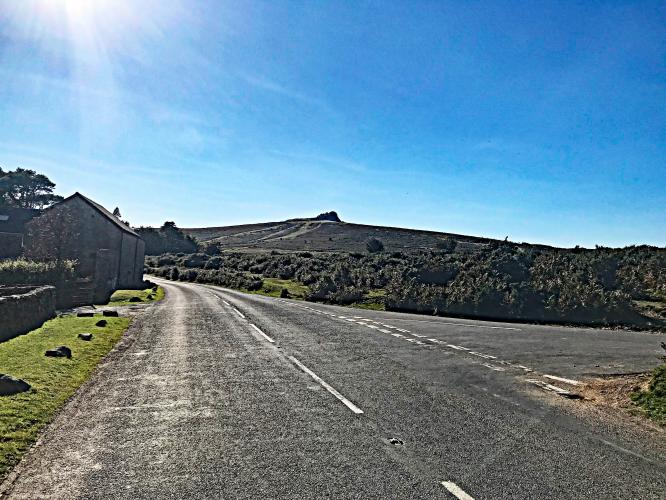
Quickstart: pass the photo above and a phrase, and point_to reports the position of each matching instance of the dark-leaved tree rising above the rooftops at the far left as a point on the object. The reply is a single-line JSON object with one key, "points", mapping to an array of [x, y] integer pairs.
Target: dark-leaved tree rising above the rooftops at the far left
{"points": [[25, 188]]}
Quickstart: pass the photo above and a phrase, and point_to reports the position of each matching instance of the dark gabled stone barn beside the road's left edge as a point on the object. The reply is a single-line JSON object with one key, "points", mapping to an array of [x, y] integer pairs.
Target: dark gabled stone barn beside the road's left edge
{"points": [[108, 252]]}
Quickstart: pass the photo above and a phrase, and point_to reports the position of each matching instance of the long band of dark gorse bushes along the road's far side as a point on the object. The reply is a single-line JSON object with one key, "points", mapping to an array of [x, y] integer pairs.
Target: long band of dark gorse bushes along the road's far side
{"points": [[502, 280]]}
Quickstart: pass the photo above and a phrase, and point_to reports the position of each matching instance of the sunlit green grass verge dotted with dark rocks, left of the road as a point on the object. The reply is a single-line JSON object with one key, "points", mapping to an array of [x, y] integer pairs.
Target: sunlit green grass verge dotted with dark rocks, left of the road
{"points": [[53, 380]]}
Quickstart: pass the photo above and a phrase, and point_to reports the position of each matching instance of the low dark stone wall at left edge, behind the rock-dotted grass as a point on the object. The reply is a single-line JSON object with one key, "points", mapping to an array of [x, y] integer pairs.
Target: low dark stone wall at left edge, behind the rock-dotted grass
{"points": [[24, 308]]}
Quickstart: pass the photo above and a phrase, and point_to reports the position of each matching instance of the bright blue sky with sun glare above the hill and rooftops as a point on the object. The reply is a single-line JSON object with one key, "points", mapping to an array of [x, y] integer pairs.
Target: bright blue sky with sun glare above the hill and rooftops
{"points": [[542, 121]]}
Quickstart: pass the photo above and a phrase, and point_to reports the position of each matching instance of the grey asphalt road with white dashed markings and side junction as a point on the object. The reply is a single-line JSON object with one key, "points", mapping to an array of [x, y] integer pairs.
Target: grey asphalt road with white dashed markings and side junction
{"points": [[218, 394]]}
